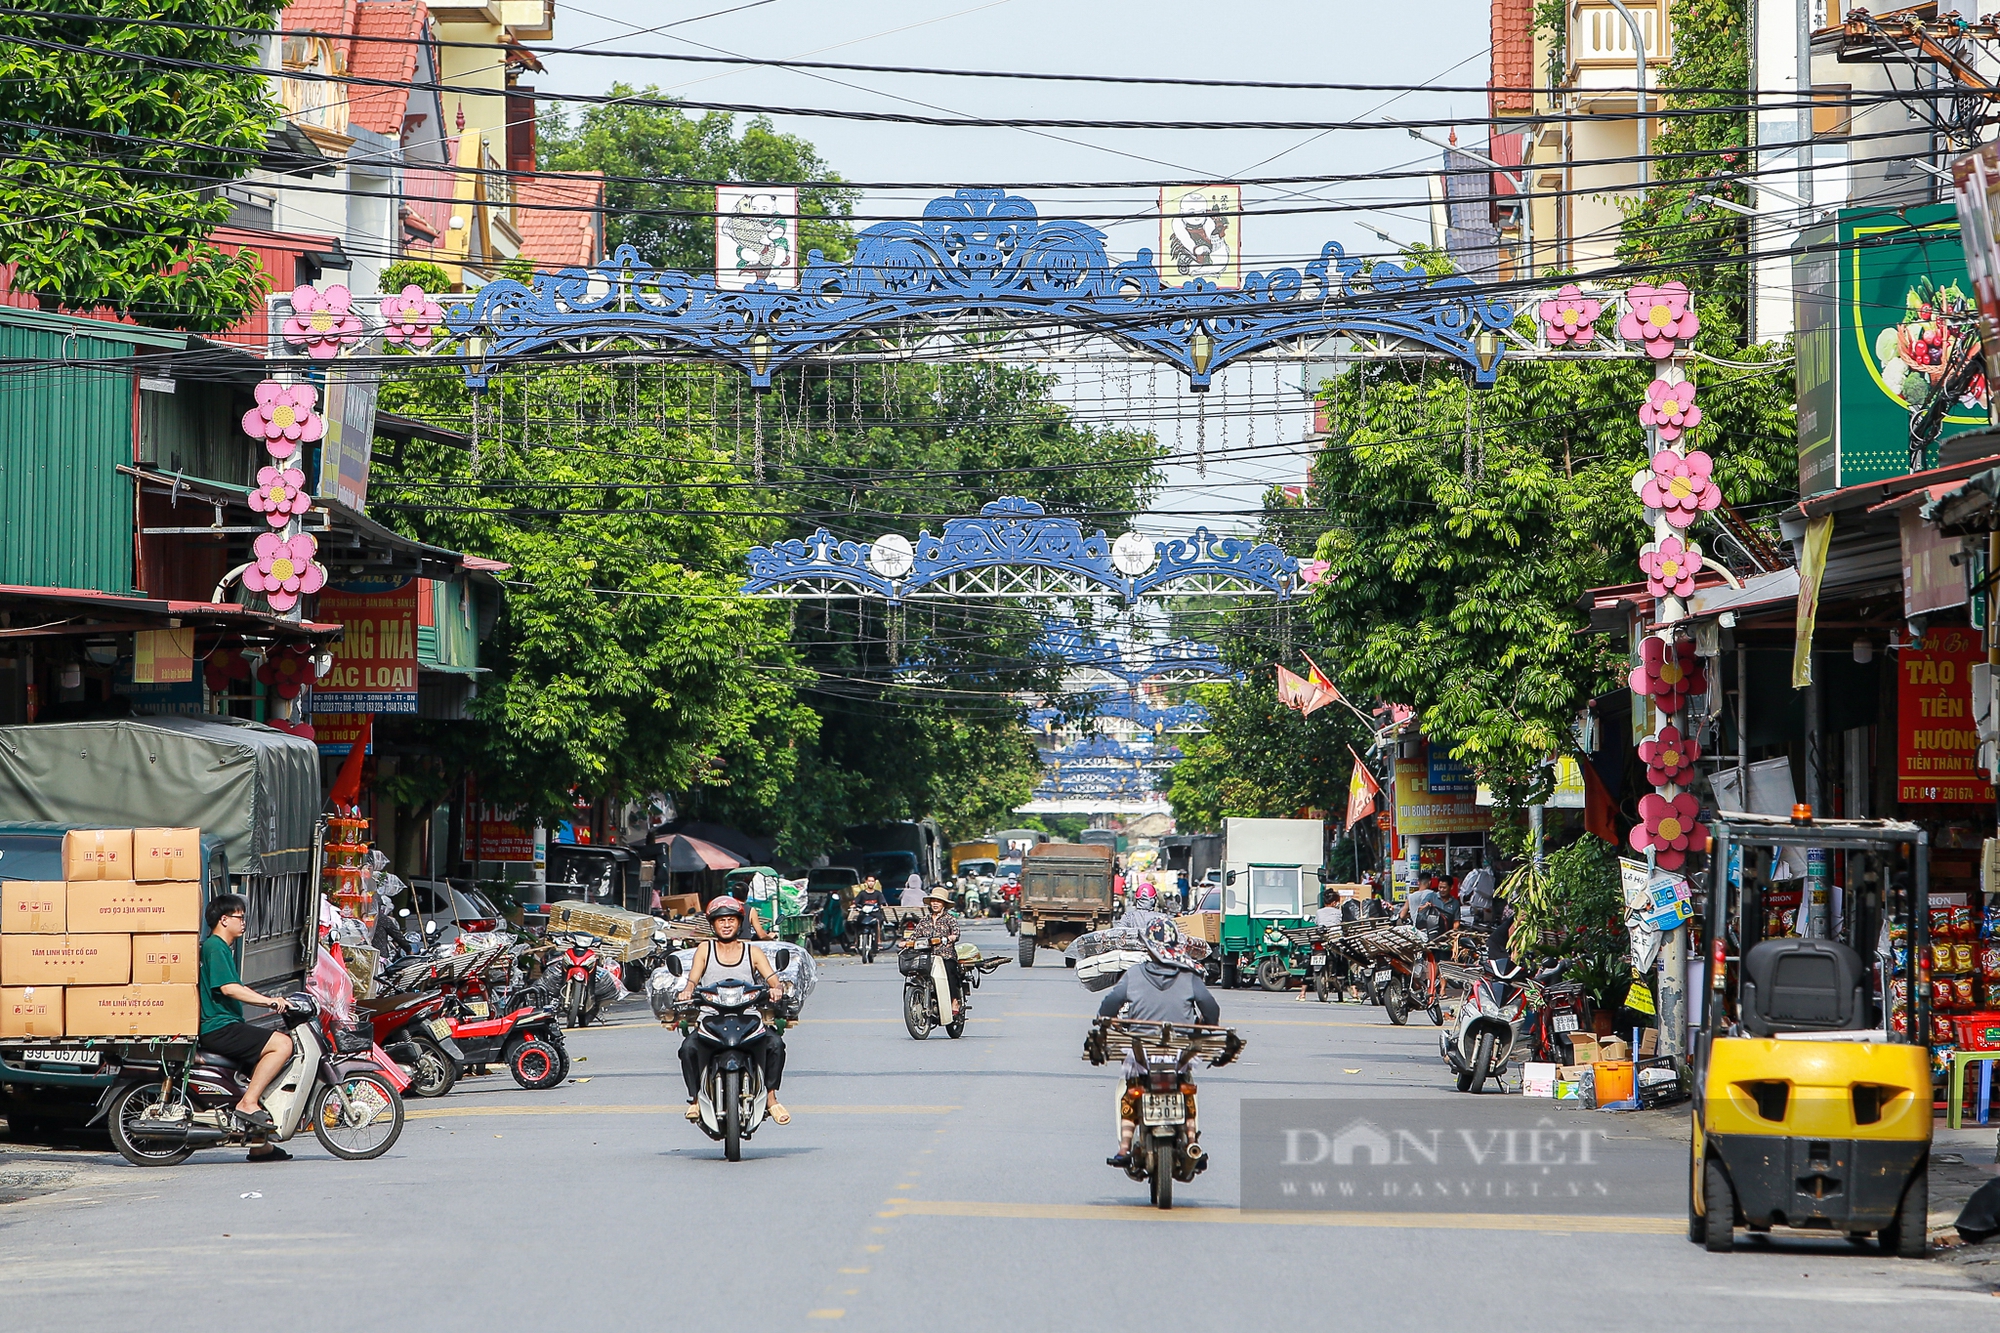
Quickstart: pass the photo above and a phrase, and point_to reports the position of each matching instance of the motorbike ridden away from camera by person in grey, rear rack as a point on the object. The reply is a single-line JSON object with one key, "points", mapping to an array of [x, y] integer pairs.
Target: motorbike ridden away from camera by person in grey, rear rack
{"points": [[1165, 1144]]}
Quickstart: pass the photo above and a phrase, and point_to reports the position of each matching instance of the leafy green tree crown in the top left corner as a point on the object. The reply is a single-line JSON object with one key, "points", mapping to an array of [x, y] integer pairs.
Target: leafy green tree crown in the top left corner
{"points": [[109, 167]]}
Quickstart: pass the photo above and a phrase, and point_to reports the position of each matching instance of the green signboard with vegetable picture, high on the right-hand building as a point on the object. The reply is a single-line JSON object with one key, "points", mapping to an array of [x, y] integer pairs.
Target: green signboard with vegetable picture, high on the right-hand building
{"points": [[1883, 307]]}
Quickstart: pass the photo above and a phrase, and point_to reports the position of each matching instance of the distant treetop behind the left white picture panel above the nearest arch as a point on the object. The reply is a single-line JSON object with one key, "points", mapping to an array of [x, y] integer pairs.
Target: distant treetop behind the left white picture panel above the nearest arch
{"points": [[651, 155]]}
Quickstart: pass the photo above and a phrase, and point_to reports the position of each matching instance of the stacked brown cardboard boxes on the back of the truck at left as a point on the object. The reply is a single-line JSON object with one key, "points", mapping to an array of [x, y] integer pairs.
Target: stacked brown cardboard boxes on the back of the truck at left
{"points": [[113, 950]]}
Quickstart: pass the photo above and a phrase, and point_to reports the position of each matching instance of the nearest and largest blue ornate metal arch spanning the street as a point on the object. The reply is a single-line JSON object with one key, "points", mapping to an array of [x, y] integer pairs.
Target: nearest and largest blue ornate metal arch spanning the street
{"points": [[977, 255]]}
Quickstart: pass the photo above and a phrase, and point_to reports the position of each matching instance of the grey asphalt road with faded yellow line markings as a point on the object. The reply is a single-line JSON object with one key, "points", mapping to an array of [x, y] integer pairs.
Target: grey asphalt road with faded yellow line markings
{"points": [[921, 1186]]}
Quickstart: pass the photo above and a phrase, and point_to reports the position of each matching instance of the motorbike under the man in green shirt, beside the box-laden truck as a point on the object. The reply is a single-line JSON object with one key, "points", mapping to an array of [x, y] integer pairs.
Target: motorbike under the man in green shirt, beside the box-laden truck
{"points": [[163, 1110]]}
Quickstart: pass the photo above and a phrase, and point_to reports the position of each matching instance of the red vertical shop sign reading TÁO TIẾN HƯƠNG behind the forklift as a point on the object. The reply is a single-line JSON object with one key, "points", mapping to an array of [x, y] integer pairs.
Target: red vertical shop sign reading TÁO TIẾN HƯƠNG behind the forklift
{"points": [[1937, 748]]}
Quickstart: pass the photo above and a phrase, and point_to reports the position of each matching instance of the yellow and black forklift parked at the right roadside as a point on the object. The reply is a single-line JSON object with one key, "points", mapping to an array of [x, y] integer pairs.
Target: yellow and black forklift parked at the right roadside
{"points": [[1811, 1076]]}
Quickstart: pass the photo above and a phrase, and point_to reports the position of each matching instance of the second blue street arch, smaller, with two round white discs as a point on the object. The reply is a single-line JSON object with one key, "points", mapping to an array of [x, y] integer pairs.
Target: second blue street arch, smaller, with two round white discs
{"points": [[1015, 549]]}
